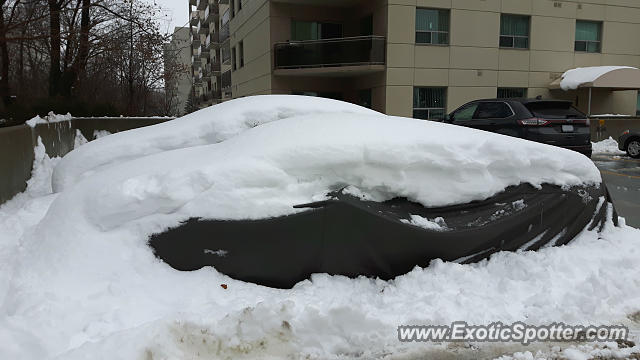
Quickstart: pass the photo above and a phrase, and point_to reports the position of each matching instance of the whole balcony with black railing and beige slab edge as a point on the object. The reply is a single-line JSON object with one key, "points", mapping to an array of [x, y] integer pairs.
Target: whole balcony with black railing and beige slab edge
{"points": [[340, 56]]}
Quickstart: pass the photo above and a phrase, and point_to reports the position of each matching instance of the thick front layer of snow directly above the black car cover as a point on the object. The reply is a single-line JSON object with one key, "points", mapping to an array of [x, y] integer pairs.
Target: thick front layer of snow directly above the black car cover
{"points": [[252, 176]]}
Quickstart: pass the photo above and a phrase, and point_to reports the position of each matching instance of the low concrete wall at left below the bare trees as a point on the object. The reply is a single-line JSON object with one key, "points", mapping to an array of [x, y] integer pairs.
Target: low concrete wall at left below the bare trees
{"points": [[17, 144]]}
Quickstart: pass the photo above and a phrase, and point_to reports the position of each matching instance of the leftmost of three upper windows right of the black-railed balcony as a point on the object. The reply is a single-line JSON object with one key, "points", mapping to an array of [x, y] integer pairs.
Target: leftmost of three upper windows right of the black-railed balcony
{"points": [[432, 26]]}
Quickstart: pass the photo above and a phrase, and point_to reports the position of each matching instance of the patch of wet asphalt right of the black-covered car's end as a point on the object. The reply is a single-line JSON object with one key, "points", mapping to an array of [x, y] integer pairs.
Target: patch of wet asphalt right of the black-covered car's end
{"points": [[622, 176]]}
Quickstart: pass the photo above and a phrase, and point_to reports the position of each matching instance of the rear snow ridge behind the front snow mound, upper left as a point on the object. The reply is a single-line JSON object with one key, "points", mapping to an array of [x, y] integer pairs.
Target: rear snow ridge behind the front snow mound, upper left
{"points": [[207, 126]]}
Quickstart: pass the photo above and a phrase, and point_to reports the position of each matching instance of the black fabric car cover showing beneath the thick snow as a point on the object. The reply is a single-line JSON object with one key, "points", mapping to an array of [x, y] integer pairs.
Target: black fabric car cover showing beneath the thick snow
{"points": [[349, 236]]}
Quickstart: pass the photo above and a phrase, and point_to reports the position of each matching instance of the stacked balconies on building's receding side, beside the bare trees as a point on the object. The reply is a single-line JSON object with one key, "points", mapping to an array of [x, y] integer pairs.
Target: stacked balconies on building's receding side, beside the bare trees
{"points": [[210, 52]]}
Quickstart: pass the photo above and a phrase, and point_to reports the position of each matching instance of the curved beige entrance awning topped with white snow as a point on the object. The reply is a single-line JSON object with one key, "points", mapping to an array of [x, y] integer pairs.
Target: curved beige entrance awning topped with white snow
{"points": [[613, 77]]}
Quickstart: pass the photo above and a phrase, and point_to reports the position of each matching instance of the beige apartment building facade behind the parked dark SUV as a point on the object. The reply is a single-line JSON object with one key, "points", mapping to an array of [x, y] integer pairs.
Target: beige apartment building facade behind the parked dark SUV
{"points": [[425, 58]]}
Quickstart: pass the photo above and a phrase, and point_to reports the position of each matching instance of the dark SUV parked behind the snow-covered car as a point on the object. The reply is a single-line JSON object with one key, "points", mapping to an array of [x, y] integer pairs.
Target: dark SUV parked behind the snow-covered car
{"points": [[553, 122]]}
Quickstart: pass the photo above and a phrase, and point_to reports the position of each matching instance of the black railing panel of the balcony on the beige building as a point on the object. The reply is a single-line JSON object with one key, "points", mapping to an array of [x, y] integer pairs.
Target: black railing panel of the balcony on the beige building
{"points": [[352, 51]]}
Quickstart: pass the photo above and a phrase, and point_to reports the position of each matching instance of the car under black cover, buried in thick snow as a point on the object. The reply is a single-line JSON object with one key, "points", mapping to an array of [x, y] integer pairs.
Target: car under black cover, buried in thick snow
{"points": [[272, 189]]}
